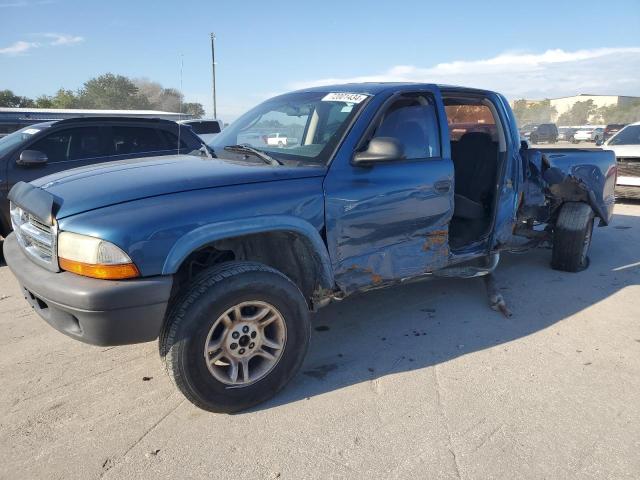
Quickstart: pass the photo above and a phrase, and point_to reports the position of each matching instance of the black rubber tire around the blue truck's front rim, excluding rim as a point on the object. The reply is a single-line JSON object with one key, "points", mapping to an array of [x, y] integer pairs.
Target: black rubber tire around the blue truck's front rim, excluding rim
{"points": [[191, 316]]}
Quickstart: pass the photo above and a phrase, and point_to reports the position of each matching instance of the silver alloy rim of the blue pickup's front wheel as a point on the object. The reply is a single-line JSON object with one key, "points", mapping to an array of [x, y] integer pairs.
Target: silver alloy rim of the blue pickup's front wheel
{"points": [[245, 343]]}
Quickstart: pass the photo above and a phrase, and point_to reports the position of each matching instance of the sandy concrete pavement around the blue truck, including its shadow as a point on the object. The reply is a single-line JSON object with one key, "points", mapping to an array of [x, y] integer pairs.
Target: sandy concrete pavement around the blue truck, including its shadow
{"points": [[418, 381]]}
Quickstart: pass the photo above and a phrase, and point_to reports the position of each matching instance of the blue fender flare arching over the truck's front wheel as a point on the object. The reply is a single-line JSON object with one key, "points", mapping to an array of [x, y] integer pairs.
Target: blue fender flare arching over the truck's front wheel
{"points": [[212, 232]]}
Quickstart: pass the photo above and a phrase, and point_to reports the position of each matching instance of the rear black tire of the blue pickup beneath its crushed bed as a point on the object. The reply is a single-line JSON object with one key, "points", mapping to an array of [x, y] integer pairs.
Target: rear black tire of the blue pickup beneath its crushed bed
{"points": [[572, 237]]}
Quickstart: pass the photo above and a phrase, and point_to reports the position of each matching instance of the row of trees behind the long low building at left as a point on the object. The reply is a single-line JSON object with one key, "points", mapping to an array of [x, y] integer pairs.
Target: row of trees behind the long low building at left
{"points": [[110, 92]]}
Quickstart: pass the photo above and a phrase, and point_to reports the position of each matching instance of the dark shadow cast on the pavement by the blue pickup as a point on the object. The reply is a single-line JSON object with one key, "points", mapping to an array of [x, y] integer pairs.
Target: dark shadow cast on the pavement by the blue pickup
{"points": [[418, 325]]}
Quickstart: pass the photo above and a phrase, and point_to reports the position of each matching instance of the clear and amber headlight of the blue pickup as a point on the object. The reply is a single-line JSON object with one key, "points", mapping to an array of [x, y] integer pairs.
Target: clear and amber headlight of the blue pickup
{"points": [[93, 257]]}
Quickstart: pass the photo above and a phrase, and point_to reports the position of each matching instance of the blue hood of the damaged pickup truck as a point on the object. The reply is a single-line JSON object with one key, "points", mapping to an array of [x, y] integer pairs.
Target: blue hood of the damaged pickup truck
{"points": [[87, 188]]}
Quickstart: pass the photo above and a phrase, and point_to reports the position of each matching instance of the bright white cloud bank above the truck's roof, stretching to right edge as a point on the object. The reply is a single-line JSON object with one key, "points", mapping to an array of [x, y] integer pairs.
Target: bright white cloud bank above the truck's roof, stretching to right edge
{"points": [[552, 73]]}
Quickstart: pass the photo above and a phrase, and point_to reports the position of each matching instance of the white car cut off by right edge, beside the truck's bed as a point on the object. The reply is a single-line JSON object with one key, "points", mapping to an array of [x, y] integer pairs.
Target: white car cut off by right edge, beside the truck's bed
{"points": [[626, 146]]}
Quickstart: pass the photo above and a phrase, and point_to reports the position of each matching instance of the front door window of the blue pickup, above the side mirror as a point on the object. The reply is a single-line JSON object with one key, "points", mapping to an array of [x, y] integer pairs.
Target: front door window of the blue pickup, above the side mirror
{"points": [[413, 122]]}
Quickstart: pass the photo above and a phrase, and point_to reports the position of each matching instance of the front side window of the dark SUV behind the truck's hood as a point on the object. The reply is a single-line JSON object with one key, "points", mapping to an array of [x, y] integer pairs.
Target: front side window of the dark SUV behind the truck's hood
{"points": [[71, 144]]}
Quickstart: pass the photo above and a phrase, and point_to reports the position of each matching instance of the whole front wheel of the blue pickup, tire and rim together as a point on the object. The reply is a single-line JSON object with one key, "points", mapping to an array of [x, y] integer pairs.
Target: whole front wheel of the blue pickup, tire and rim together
{"points": [[236, 338]]}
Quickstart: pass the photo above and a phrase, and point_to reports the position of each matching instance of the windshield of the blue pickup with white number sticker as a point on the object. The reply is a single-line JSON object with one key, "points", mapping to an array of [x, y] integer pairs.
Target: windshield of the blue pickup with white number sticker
{"points": [[300, 127]]}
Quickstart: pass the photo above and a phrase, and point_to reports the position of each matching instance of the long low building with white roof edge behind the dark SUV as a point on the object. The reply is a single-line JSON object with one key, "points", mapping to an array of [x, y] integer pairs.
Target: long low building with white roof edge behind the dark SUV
{"points": [[12, 119]]}
